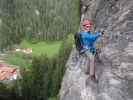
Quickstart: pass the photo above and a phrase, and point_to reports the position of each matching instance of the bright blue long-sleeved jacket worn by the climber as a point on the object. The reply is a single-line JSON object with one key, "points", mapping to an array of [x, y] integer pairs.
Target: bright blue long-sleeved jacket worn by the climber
{"points": [[88, 40]]}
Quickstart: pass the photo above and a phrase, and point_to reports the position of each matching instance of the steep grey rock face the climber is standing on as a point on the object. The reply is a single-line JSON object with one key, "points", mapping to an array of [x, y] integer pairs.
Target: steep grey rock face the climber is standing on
{"points": [[115, 69]]}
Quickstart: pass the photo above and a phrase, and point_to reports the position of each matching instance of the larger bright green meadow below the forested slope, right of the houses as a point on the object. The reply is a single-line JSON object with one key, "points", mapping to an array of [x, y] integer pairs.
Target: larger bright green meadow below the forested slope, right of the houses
{"points": [[48, 48]]}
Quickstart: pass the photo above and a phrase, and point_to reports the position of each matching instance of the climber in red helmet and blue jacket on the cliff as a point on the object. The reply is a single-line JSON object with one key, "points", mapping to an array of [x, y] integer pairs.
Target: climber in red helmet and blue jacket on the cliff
{"points": [[89, 49]]}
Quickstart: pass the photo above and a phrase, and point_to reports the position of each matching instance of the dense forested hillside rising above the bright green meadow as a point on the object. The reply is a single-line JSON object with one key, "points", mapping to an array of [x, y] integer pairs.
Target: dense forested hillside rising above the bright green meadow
{"points": [[39, 19]]}
